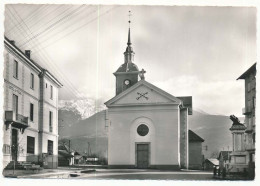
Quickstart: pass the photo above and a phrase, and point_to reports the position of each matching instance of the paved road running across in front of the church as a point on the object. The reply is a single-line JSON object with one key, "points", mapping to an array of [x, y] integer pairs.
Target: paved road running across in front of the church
{"points": [[132, 174]]}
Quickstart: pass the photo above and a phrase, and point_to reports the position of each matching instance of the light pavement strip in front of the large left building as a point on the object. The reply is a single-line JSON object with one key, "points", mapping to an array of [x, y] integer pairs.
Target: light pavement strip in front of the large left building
{"points": [[60, 172]]}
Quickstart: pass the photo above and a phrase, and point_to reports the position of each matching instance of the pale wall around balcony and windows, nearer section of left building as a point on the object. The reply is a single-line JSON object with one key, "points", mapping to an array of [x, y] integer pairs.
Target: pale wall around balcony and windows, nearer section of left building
{"points": [[21, 87]]}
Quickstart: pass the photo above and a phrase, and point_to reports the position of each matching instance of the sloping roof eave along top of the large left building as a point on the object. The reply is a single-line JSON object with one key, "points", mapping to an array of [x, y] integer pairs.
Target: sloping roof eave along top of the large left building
{"points": [[30, 62]]}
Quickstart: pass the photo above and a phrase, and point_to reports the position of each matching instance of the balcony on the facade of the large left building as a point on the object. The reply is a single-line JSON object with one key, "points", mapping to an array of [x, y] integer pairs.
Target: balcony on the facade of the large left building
{"points": [[16, 120]]}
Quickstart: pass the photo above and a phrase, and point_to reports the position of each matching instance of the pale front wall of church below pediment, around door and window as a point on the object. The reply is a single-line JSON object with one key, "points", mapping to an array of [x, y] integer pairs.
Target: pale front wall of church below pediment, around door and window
{"points": [[163, 134]]}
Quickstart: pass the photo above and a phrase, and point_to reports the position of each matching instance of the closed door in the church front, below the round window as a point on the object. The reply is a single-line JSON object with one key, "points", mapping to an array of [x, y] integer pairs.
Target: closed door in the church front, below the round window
{"points": [[142, 151]]}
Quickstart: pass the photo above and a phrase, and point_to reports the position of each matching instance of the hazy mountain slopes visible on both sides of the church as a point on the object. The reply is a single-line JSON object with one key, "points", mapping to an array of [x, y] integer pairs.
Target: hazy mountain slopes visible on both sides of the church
{"points": [[214, 129]]}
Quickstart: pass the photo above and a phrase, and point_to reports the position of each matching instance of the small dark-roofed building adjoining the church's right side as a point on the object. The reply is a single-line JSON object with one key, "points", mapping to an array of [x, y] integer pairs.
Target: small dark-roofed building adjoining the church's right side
{"points": [[195, 151]]}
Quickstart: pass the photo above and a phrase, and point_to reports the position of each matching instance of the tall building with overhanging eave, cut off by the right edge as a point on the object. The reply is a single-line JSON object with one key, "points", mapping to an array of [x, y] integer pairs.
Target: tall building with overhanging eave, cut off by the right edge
{"points": [[249, 111]]}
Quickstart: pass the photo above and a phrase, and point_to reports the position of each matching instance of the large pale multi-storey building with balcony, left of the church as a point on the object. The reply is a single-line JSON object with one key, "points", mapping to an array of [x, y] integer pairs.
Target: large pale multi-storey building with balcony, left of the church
{"points": [[30, 127]]}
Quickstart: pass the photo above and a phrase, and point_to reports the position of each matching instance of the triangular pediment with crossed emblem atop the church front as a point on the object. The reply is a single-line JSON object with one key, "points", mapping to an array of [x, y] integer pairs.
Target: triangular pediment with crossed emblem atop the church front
{"points": [[142, 93]]}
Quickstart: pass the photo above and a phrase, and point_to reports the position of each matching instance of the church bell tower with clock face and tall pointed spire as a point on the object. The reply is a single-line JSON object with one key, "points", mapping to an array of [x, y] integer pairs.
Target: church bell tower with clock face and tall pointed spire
{"points": [[127, 73]]}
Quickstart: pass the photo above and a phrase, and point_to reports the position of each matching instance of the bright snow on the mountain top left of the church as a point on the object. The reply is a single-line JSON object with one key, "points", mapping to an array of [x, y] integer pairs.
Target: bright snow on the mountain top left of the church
{"points": [[84, 107]]}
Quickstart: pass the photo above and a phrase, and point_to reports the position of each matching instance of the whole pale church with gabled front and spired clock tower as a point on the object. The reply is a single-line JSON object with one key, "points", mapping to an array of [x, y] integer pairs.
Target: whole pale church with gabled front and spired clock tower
{"points": [[147, 127]]}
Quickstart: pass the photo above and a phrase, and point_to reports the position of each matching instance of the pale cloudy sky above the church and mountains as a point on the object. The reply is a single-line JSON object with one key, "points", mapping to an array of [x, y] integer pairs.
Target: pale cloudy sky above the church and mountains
{"points": [[186, 50]]}
